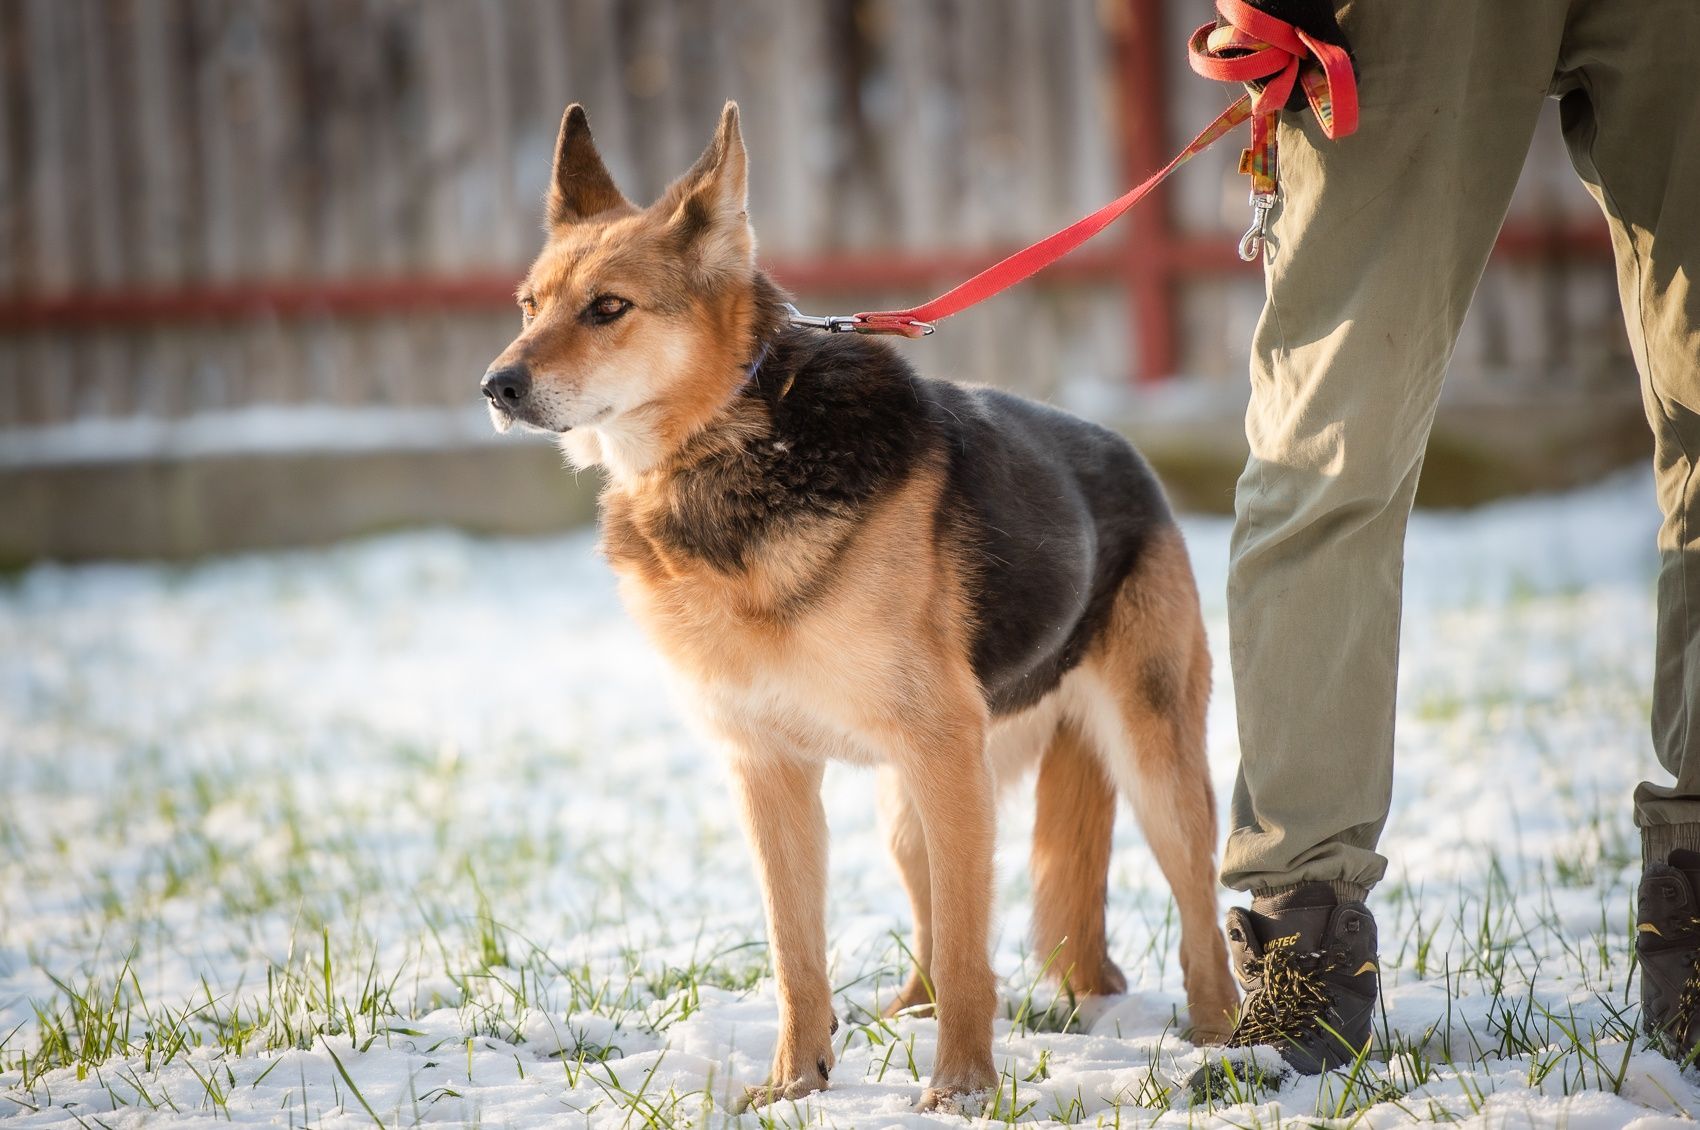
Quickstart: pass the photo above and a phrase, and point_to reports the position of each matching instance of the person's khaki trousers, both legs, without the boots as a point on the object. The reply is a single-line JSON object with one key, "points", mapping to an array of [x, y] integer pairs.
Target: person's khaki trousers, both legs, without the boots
{"points": [[1376, 247]]}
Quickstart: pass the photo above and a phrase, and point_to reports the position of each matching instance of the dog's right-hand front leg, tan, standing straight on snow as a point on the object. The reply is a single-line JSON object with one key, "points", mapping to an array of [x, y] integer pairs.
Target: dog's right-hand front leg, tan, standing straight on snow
{"points": [[951, 788]]}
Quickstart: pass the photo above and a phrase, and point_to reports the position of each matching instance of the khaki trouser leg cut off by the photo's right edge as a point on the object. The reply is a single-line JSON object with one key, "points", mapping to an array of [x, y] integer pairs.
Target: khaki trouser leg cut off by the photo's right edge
{"points": [[1633, 123]]}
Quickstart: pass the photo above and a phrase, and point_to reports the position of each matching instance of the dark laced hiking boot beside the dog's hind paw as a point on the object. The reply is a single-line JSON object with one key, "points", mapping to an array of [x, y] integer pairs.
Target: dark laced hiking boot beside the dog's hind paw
{"points": [[1308, 966]]}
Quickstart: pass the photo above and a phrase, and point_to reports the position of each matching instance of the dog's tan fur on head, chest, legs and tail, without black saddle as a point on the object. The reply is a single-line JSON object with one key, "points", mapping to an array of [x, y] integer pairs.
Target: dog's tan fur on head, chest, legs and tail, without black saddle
{"points": [[847, 635]]}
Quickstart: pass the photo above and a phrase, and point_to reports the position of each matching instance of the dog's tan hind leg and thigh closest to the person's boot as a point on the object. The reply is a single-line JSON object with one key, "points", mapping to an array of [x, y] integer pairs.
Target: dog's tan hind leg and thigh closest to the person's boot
{"points": [[1152, 674]]}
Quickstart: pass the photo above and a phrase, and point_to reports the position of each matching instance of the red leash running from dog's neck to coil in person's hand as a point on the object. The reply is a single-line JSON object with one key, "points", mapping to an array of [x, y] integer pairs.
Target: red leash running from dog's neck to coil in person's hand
{"points": [[1245, 47]]}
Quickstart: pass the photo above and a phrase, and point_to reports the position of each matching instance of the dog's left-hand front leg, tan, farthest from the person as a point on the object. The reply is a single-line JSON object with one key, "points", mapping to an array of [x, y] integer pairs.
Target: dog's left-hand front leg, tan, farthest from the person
{"points": [[783, 815]]}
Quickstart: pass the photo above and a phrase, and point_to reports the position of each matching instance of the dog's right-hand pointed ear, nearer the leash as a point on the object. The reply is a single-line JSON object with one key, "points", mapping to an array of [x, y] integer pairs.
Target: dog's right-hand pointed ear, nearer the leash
{"points": [[708, 208]]}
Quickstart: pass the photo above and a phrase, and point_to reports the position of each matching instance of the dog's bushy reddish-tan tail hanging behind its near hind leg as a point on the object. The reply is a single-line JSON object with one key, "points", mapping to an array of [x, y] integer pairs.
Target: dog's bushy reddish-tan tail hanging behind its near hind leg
{"points": [[1072, 864]]}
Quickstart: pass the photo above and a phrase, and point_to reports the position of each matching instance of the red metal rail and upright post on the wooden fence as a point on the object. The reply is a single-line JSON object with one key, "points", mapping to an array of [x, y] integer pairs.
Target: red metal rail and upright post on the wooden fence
{"points": [[1150, 259]]}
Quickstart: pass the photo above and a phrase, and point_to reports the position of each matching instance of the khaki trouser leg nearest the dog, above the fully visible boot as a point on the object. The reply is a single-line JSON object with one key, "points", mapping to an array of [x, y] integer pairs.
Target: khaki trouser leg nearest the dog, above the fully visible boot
{"points": [[1374, 252]]}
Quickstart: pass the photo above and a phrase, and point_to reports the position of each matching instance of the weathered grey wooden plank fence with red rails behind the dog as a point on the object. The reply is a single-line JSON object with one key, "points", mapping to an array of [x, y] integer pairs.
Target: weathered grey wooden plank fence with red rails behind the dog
{"points": [[312, 206]]}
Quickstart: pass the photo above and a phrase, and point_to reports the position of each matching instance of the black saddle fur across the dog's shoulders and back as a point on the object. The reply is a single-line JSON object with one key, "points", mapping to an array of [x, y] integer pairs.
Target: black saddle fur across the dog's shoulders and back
{"points": [[1053, 512]]}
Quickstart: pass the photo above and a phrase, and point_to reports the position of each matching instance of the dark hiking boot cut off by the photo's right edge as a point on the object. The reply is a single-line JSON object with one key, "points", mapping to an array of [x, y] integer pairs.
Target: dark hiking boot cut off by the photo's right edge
{"points": [[1669, 947]]}
